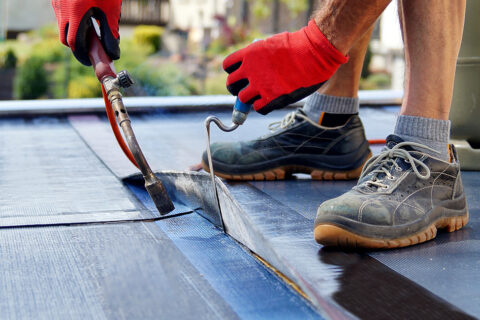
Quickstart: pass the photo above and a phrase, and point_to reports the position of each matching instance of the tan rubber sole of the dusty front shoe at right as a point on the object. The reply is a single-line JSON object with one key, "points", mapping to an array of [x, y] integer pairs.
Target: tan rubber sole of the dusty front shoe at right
{"points": [[331, 235]]}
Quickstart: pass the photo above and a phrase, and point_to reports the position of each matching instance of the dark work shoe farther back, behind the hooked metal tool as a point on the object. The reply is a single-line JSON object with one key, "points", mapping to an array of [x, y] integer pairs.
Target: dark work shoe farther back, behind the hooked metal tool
{"points": [[296, 145]]}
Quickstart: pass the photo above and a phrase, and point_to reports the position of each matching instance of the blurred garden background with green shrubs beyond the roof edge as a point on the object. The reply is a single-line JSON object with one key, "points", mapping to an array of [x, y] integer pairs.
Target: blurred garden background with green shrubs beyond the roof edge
{"points": [[184, 39]]}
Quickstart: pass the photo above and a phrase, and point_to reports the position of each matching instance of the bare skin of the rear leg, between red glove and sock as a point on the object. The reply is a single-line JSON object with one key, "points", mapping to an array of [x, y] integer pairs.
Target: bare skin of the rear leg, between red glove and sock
{"points": [[345, 82]]}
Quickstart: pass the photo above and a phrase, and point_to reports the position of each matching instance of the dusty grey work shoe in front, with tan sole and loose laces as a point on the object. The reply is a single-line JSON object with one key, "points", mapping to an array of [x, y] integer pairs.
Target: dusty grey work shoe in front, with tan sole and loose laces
{"points": [[402, 197]]}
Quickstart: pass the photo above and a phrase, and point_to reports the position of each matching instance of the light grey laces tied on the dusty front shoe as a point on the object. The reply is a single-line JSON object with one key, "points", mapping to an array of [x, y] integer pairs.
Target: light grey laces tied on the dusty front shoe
{"points": [[387, 159]]}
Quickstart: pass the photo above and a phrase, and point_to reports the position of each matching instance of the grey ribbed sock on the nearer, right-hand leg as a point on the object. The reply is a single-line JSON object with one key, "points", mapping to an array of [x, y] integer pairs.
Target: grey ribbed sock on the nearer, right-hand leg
{"points": [[431, 132]]}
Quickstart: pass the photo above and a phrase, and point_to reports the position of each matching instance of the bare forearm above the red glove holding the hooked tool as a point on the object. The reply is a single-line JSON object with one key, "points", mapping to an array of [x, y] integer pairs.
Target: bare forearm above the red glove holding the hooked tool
{"points": [[343, 22]]}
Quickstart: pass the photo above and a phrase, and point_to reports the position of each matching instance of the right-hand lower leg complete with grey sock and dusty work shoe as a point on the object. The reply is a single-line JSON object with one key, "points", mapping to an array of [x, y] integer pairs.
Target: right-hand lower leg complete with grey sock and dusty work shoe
{"points": [[432, 32]]}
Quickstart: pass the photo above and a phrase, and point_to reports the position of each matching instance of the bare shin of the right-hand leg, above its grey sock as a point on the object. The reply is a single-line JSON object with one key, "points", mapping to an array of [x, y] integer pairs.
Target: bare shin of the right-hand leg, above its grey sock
{"points": [[432, 32]]}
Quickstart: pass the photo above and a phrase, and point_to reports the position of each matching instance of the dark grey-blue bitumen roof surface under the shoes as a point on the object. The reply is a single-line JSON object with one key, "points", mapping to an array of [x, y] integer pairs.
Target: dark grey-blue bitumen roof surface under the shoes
{"points": [[183, 267]]}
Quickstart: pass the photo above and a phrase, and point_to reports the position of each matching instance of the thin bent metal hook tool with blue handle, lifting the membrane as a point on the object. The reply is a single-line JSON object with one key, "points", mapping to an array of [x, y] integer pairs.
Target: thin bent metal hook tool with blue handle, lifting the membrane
{"points": [[239, 115]]}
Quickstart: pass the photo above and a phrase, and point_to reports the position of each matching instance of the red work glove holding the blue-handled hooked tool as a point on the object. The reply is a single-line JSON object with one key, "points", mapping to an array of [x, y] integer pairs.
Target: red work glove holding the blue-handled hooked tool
{"points": [[282, 69]]}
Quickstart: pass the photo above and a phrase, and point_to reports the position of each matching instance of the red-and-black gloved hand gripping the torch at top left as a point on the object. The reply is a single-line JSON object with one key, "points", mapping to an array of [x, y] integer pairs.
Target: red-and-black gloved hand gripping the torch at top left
{"points": [[74, 23]]}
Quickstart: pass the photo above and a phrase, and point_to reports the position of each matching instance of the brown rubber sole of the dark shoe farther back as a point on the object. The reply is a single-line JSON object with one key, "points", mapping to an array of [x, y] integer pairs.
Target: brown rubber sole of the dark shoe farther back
{"points": [[283, 172]]}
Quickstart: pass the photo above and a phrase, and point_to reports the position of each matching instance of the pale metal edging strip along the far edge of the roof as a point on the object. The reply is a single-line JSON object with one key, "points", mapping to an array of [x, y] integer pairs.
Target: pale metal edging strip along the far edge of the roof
{"points": [[135, 104]]}
